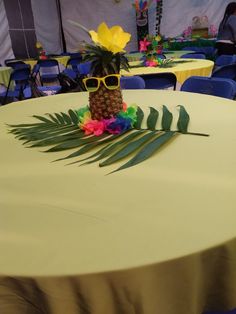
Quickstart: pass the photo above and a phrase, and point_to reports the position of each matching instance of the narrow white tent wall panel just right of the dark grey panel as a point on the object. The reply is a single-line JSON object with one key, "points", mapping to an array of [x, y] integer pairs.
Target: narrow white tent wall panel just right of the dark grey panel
{"points": [[47, 26]]}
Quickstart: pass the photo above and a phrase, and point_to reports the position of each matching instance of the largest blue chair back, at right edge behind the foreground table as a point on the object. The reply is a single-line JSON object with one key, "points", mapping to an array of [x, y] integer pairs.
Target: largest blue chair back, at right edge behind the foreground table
{"points": [[221, 87]]}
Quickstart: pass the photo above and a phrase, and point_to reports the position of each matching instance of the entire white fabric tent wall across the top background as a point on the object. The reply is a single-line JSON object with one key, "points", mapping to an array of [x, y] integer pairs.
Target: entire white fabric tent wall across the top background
{"points": [[177, 15]]}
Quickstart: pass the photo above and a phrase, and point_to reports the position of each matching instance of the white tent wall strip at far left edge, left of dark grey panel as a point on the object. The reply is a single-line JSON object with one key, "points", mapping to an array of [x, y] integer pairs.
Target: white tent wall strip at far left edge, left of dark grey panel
{"points": [[5, 40]]}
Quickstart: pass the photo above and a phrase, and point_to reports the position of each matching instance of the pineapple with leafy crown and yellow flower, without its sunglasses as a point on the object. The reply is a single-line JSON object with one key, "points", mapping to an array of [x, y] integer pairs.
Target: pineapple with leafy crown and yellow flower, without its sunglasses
{"points": [[107, 57]]}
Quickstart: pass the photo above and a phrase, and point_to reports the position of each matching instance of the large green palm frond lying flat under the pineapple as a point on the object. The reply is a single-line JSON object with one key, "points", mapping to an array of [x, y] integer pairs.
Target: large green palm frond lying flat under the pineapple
{"points": [[61, 131]]}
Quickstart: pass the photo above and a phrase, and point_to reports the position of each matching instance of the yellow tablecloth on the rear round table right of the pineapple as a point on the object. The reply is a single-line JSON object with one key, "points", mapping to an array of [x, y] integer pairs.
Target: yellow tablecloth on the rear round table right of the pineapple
{"points": [[182, 71]]}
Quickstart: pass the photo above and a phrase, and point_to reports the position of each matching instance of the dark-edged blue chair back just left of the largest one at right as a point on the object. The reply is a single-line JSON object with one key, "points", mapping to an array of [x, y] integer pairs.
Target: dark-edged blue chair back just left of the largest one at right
{"points": [[160, 80]]}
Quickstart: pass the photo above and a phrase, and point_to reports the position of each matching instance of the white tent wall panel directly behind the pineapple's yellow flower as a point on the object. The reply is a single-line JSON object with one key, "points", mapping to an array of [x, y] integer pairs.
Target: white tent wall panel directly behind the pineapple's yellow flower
{"points": [[91, 13]]}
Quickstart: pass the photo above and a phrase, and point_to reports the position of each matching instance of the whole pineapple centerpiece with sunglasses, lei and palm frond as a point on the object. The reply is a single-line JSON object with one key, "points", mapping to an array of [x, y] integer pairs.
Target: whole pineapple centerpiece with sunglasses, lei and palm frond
{"points": [[106, 130]]}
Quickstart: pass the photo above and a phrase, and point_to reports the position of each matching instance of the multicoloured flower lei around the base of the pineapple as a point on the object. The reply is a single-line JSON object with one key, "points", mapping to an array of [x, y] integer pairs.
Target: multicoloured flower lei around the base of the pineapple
{"points": [[123, 121]]}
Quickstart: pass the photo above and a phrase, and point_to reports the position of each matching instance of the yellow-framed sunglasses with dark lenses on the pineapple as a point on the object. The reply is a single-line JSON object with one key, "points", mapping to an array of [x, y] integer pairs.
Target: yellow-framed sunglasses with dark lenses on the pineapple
{"points": [[111, 82]]}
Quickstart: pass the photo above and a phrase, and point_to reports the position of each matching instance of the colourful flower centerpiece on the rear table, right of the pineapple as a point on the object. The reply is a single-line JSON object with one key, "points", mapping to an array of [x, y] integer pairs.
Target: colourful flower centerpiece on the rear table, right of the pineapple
{"points": [[152, 48]]}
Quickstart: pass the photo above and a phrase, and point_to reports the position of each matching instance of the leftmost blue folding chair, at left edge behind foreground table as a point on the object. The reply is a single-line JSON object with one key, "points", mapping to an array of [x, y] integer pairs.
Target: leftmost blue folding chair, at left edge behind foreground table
{"points": [[20, 77]]}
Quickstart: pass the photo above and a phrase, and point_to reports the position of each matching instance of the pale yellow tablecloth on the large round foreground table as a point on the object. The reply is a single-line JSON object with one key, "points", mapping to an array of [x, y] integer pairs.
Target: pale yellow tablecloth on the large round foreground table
{"points": [[156, 238]]}
